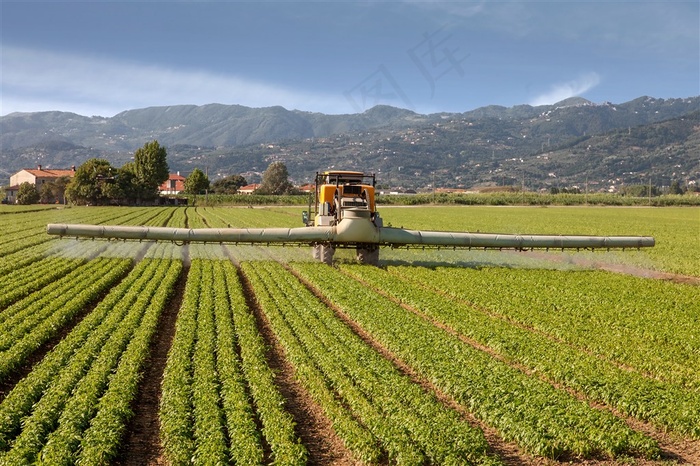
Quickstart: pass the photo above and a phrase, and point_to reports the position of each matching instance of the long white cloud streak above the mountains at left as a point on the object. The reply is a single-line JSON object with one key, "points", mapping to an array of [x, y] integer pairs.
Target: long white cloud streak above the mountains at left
{"points": [[34, 80]]}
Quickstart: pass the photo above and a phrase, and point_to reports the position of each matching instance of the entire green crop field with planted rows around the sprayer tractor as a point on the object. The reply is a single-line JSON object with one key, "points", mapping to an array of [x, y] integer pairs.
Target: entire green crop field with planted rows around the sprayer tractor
{"points": [[117, 352]]}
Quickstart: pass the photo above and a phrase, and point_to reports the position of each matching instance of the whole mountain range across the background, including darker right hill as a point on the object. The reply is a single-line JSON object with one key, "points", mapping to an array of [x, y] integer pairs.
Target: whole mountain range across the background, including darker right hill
{"points": [[569, 143]]}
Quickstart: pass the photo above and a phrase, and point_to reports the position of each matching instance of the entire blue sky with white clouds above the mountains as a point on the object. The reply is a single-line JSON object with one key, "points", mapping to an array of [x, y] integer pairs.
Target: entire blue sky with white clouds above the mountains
{"points": [[103, 57]]}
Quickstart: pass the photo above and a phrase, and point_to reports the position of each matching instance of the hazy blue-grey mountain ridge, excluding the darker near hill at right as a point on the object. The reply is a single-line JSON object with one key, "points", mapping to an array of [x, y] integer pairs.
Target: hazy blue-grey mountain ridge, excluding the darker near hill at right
{"points": [[225, 138]]}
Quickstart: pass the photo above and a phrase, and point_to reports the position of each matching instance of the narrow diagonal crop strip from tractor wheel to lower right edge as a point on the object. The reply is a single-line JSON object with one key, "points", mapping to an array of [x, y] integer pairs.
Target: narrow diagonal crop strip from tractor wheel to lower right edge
{"points": [[667, 405]]}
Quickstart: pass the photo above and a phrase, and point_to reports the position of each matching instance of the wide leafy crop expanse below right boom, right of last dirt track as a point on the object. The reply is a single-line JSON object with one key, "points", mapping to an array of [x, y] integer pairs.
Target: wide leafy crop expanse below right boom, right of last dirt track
{"points": [[469, 301]]}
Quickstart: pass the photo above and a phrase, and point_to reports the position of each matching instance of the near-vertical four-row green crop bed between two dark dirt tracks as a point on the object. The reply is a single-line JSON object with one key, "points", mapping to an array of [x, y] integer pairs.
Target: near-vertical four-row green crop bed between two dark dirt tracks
{"points": [[204, 373]]}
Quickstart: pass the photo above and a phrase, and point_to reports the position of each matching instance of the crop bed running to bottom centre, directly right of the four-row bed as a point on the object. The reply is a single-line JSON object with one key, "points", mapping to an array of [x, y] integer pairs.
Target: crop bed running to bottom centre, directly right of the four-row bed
{"points": [[405, 423]]}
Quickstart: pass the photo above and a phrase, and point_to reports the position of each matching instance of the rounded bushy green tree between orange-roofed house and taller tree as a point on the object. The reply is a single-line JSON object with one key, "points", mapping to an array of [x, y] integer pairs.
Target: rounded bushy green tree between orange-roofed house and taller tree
{"points": [[95, 182]]}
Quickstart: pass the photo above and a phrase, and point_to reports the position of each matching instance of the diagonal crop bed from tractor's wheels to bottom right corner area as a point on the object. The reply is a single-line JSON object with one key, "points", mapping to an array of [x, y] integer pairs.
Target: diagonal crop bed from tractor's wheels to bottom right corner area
{"points": [[541, 419]]}
